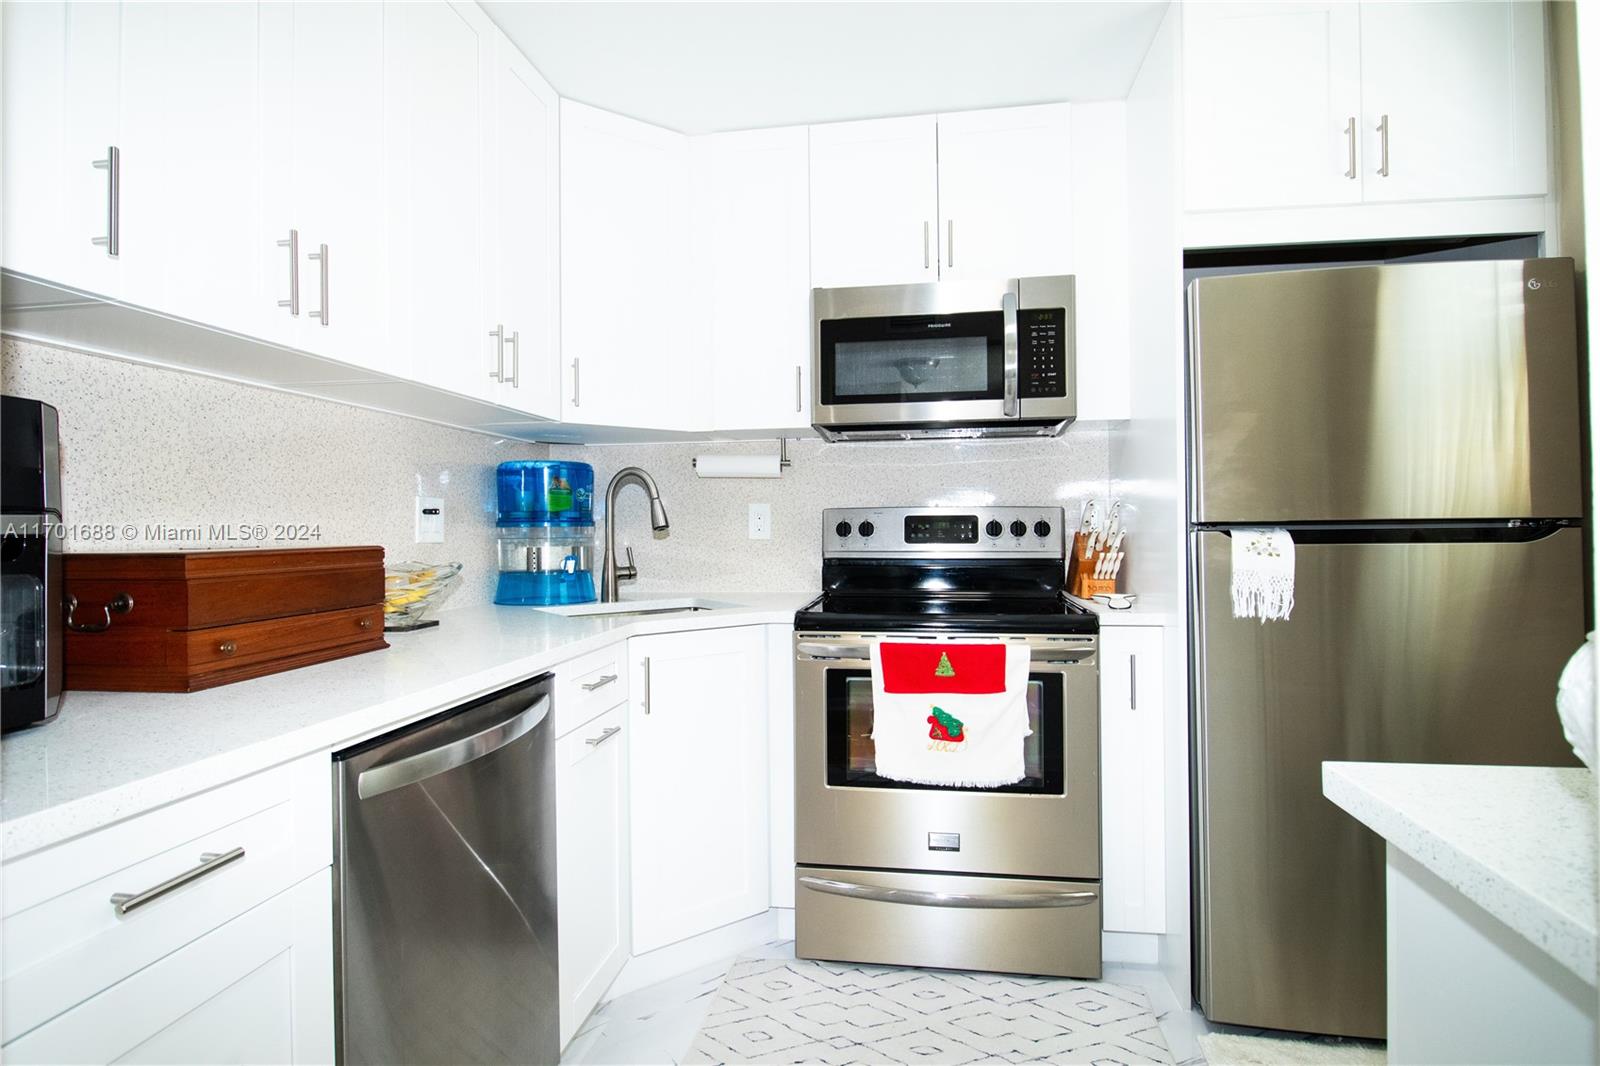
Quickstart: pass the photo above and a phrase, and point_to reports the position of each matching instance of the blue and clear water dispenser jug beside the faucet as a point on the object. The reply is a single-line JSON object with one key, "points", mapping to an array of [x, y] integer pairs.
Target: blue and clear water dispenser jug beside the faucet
{"points": [[546, 534]]}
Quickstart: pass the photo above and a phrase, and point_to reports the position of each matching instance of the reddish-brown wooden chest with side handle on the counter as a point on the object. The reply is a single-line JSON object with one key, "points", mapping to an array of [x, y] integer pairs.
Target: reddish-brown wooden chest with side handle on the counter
{"points": [[182, 622]]}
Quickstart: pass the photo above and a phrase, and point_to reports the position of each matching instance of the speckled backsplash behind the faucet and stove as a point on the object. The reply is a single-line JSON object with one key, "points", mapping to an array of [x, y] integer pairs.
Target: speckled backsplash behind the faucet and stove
{"points": [[710, 548]]}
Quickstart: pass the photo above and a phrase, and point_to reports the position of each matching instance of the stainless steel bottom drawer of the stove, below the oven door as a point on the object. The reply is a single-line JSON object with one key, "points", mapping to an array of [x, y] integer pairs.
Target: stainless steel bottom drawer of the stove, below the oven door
{"points": [[1001, 924]]}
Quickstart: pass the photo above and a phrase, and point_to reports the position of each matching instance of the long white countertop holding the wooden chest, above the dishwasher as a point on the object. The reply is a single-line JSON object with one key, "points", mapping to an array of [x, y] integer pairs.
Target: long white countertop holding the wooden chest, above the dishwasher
{"points": [[110, 755]]}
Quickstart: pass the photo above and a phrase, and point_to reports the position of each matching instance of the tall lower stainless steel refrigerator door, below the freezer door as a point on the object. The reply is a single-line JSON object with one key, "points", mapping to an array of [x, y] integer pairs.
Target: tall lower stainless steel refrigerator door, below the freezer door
{"points": [[1425, 652]]}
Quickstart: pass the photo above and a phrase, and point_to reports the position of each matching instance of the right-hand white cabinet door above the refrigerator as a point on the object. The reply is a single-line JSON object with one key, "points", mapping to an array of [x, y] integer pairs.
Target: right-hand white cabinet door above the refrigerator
{"points": [[1455, 100]]}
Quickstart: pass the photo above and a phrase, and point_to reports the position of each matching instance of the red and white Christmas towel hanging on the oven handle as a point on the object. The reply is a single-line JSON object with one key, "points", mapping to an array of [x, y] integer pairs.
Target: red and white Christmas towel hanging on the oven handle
{"points": [[950, 715]]}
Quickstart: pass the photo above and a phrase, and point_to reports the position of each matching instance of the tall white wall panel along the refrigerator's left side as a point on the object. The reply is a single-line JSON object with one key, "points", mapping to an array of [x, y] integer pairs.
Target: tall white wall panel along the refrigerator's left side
{"points": [[1148, 451]]}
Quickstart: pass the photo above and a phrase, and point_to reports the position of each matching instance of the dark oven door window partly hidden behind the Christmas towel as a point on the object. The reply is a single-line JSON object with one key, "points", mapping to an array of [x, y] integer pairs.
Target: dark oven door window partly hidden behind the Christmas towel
{"points": [[850, 751]]}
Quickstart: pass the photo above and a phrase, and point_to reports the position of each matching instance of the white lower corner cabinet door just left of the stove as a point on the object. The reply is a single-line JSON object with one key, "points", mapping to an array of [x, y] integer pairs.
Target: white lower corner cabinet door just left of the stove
{"points": [[698, 767]]}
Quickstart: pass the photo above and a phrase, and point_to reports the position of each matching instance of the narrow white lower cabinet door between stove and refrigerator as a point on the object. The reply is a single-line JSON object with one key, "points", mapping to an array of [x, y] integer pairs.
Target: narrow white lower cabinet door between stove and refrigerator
{"points": [[1132, 780]]}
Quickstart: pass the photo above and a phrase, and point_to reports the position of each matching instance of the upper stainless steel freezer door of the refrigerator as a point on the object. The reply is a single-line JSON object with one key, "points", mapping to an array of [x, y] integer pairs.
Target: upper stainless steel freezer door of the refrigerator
{"points": [[1388, 393]]}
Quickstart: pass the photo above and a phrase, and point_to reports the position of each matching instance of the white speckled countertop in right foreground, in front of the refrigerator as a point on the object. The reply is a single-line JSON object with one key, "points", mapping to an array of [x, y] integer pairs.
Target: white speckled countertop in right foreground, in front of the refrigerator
{"points": [[1518, 841]]}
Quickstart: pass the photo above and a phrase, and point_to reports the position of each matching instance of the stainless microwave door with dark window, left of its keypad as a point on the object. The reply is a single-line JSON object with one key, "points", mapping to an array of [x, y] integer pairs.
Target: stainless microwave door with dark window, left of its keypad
{"points": [[895, 355]]}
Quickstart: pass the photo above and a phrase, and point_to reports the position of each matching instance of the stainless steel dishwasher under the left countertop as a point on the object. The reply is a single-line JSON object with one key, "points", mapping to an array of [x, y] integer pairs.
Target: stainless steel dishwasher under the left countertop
{"points": [[446, 888]]}
